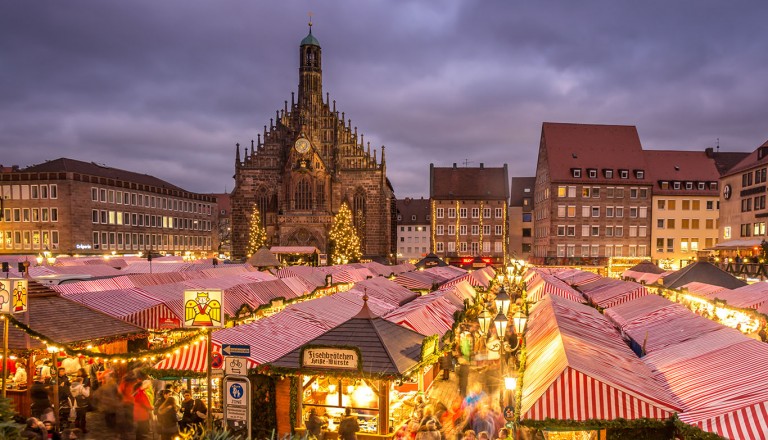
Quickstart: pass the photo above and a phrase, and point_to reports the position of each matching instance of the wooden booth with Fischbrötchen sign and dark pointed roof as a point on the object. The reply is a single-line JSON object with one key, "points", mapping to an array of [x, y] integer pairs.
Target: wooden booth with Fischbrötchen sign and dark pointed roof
{"points": [[360, 364]]}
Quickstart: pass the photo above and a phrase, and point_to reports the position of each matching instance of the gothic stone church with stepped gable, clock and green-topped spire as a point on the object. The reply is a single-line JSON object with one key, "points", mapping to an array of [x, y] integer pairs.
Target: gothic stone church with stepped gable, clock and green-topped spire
{"points": [[309, 161]]}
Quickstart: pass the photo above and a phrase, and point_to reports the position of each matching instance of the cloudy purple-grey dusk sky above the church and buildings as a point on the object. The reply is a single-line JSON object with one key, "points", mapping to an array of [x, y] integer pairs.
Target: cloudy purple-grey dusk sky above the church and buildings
{"points": [[168, 87]]}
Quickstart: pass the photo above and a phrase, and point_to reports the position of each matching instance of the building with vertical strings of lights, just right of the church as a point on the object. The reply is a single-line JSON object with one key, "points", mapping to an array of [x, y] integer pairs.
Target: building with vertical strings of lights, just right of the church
{"points": [[469, 213]]}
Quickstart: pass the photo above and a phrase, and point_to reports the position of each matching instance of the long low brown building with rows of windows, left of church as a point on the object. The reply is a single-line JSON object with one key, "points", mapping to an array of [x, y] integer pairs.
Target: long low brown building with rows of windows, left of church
{"points": [[73, 207]]}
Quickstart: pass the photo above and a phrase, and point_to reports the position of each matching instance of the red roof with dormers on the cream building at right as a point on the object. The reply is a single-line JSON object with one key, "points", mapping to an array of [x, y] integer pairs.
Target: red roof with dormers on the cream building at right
{"points": [[682, 166]]}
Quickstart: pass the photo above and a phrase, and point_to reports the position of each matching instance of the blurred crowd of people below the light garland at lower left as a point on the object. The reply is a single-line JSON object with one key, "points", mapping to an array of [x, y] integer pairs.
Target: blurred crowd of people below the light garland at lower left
{"points": [[133, 405]]}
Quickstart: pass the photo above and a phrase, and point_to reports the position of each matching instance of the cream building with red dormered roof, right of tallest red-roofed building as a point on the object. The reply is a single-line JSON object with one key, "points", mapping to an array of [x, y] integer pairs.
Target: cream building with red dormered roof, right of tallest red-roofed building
{"points": [[685, 205]]}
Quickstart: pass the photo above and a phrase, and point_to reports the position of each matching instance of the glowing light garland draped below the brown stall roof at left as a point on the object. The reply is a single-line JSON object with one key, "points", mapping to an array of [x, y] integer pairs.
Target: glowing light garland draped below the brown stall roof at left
{"points": [[148, 355]]}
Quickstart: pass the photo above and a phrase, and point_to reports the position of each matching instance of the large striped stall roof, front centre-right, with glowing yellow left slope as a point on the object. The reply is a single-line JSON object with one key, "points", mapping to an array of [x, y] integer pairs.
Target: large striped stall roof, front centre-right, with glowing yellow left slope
{"points": [[579, 368]]}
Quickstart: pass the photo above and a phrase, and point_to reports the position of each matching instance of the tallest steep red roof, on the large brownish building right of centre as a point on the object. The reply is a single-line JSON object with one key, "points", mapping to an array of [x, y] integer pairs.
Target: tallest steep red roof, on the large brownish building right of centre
{"points": [[585, 146]]}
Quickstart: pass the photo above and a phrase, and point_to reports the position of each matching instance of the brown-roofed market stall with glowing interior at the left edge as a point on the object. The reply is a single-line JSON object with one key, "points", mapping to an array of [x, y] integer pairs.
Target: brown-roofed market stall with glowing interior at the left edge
{"points": [[74, 335]]}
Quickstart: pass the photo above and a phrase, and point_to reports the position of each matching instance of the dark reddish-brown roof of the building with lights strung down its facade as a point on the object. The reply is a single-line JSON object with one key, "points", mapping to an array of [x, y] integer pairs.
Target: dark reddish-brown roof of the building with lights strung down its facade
{"points": [[468, 183]]}
